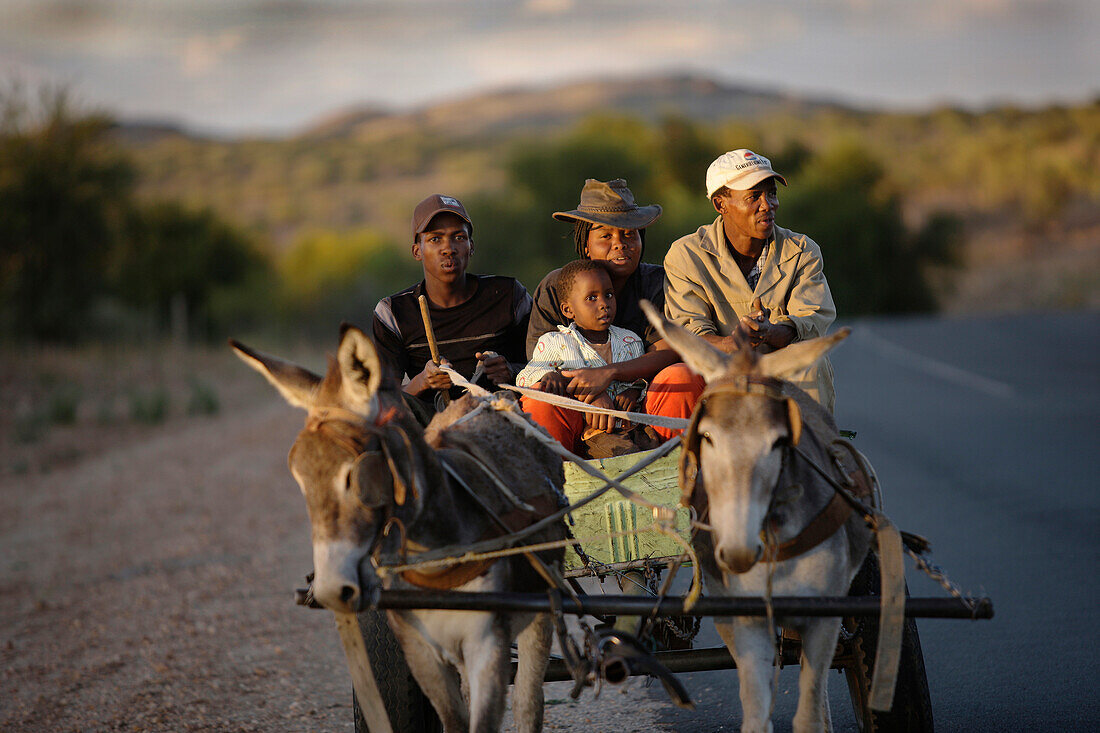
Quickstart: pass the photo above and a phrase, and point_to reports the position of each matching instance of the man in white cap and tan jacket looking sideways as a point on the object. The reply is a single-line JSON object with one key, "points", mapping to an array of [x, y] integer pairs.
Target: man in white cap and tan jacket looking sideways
{"points": [[744, 271]]}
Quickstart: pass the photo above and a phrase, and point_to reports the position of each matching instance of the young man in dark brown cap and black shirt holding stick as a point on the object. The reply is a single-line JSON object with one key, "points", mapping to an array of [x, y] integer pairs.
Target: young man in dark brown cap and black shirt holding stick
{"points": [[480, 321]]}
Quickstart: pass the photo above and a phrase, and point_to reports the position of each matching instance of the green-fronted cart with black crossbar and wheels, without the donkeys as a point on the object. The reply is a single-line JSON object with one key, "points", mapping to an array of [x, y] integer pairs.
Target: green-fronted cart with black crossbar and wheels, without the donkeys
{"points": [[643, 561]]}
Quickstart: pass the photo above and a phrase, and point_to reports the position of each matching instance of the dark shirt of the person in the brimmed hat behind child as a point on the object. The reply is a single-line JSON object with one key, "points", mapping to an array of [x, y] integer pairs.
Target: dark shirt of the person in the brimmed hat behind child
{"points": [[647, 282]]}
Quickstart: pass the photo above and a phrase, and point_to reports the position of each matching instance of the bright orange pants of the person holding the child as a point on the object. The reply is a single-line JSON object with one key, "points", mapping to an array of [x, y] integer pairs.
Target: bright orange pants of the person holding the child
{"points": [[673, 393]]}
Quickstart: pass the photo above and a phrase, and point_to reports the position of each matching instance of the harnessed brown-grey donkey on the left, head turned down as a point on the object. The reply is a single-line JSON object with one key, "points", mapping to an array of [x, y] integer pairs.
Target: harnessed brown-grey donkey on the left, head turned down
{"points": [[377, 485]]}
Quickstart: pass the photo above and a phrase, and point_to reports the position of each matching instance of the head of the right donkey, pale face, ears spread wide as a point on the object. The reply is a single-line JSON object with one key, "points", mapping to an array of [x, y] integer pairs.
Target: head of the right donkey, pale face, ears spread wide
{"points": [[733, 453]]}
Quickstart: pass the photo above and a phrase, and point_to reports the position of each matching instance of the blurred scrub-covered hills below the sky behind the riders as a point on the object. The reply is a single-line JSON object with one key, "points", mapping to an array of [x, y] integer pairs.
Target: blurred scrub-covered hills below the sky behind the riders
{"points": [[1025, 184]]}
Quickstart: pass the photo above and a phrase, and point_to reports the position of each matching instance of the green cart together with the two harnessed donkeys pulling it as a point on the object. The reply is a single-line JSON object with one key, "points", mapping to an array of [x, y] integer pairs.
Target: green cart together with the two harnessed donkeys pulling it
{"points": [[475, 513]]}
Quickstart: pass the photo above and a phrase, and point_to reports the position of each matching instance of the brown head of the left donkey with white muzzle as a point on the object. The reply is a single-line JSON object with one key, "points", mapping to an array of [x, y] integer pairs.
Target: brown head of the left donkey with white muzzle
{"points": [[360, 461]]}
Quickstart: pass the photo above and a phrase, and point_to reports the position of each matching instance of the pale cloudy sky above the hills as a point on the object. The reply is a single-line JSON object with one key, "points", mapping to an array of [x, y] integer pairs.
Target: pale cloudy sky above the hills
{"points": [[274, 67]]}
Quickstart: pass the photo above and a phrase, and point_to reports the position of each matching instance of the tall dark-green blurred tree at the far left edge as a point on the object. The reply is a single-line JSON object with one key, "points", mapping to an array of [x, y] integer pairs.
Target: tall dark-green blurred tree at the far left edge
{"points": [[64, 191]]}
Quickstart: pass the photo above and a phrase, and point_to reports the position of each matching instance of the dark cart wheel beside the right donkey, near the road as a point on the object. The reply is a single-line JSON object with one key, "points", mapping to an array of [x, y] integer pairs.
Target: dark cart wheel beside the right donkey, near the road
{"points": [[912, 705]]}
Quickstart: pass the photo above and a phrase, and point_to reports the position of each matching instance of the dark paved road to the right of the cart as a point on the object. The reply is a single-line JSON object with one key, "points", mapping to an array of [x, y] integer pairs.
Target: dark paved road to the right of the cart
{"points": [[984, 433]]}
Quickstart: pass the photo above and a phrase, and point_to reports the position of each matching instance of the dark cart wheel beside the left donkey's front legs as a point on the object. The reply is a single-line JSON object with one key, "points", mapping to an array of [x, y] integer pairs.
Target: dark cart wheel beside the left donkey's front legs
{"points": [[406, 705]]}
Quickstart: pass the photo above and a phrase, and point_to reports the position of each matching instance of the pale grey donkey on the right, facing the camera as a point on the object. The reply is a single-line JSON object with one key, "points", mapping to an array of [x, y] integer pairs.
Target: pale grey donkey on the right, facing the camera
{"points": [[742, 474]]}
